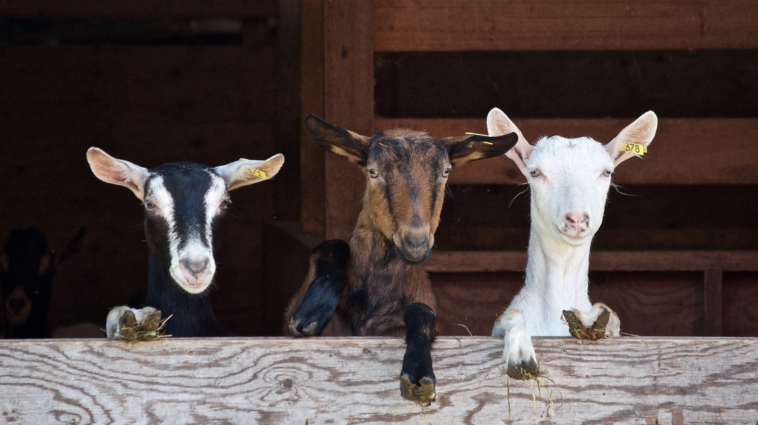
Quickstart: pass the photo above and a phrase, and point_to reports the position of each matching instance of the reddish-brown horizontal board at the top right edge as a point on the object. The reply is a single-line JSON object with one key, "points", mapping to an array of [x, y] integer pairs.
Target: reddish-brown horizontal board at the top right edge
{"points": [[462, 25]]}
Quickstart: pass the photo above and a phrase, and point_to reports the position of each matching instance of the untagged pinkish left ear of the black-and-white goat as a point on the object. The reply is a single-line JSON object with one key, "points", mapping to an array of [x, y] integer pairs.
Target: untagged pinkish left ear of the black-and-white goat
{"points": [[117, 171]]}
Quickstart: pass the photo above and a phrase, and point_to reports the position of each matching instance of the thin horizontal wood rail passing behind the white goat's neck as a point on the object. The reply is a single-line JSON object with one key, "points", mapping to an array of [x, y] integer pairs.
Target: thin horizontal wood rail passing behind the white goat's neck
{"points": [[498, 261]]}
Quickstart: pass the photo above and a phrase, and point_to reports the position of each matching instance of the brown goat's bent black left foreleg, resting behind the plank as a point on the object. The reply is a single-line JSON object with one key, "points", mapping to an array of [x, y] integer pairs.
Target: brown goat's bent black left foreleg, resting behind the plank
{"points": [[323, 293]]}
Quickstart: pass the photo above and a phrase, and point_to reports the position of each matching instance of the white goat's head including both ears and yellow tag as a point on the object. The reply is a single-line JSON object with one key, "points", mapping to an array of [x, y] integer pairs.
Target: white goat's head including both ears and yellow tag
{"points": [[570, 178]]}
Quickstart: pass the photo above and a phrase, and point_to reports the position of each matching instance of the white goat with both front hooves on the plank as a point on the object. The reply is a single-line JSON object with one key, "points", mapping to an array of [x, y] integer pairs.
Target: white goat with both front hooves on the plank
{"points": [[569, 181]]}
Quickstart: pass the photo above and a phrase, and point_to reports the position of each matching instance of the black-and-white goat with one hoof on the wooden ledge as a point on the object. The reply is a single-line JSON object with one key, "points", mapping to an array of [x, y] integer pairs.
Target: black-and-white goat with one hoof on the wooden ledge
{"points": [[183, 203]]}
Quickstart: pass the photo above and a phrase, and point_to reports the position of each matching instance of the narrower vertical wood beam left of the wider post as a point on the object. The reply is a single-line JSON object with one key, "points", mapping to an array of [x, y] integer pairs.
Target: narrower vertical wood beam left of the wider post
{"points": [[312, 201]]}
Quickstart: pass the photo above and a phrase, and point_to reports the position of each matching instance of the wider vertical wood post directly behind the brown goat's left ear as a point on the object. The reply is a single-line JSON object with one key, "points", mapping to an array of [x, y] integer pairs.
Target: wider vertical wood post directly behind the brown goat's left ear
{"points": [[348, 103]]}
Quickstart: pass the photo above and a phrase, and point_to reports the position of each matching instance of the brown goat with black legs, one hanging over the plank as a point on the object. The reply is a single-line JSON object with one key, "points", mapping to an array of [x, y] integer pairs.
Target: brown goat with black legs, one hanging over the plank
{"points": [[384, 292]]}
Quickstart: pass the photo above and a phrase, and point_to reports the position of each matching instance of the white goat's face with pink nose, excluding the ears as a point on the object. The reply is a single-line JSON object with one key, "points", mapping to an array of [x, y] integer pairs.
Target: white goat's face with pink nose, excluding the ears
{"points": [[569, 180]]}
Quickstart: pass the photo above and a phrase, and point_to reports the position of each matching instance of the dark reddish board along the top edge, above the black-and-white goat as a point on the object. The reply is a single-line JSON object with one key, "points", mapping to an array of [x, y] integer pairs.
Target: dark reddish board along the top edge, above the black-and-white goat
{"points": [[136, 8]]}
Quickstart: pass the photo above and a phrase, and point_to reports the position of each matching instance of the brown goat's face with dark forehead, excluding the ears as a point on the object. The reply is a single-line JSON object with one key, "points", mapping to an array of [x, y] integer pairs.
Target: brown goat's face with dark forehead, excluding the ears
{"points": [[407, 171]]}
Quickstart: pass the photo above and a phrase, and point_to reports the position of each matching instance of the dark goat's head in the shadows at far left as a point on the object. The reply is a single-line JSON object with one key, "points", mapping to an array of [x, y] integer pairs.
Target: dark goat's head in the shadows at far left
{"points": [[27, 269]]}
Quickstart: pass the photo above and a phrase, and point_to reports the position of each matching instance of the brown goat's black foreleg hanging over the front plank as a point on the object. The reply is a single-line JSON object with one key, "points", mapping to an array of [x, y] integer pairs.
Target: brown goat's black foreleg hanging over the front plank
{"points": [[417, 380]]}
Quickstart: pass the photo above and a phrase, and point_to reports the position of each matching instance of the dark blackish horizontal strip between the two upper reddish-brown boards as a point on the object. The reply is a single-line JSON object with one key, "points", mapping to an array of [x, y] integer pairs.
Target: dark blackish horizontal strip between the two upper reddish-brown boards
{"points": [[568, 84]]}
